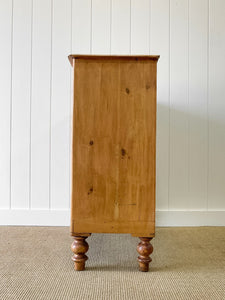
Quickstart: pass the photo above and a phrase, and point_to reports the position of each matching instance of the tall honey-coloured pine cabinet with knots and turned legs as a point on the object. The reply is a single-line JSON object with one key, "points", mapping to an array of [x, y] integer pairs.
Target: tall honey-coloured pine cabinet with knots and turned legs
{"points": [[114, 142]]}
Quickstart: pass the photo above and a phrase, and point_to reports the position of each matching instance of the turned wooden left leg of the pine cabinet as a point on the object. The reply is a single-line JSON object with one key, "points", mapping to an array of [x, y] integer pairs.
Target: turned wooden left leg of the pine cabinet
{"points": [[79, 248]]}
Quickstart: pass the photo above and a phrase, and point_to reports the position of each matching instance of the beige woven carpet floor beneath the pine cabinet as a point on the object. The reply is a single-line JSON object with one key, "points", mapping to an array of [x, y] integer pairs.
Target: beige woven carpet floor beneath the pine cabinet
{"points": [[188, 263]]}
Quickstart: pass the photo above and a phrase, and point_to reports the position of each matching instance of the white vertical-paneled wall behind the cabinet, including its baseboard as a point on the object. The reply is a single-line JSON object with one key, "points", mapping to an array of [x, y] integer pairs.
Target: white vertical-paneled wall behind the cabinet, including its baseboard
{"points": [[36, 104]]}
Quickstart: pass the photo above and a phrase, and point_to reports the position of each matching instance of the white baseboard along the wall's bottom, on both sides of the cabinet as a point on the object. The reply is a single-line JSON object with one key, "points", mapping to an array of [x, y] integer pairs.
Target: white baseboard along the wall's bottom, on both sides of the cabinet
{"points": [[62, 218]]}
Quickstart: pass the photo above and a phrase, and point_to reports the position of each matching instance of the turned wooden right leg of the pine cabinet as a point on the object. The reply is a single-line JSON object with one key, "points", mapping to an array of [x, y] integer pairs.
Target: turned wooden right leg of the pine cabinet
{"points": [[144, 248]]}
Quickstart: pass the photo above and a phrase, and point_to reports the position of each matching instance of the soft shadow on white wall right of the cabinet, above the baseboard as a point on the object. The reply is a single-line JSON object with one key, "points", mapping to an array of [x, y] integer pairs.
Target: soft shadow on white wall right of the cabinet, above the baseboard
{"points": [[190, 167]]}
